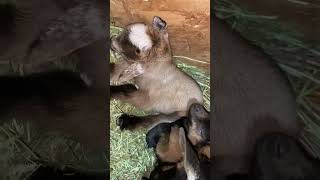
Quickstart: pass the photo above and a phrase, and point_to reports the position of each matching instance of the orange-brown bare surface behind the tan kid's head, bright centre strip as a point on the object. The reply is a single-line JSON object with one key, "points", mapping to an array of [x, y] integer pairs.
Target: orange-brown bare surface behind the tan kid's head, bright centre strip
{"points": [[188, 23]]}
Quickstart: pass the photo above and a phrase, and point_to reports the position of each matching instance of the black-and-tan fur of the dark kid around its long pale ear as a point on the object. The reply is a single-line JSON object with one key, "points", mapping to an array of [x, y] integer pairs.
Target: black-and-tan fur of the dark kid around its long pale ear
{"points": [[164, 137]]}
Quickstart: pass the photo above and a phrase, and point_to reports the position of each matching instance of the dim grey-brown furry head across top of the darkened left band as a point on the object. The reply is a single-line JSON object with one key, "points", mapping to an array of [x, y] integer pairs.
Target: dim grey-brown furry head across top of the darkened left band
{"points": [[46, 30]]}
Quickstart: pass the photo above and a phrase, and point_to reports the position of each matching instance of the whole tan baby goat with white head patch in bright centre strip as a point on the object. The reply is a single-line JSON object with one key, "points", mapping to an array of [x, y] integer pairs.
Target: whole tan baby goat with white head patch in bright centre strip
{"points": [[161, 87]]}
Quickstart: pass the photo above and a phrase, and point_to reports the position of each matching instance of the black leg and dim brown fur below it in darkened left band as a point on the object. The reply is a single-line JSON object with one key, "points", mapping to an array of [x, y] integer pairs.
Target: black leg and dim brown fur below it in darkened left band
{"points": [[56, 101]]}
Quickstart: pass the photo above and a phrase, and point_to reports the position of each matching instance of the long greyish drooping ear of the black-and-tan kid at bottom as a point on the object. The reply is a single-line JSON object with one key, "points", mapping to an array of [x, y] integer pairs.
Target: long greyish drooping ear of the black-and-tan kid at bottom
{"points": [[190, 159]]}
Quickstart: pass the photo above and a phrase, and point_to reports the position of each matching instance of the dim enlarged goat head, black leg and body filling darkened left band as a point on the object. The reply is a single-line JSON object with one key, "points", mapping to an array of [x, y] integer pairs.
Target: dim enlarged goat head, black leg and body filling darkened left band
{"points": [[38, 32]]}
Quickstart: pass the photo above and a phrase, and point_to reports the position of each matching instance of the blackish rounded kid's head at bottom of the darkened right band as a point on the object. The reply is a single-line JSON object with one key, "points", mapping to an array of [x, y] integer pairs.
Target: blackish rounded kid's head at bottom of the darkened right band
{"points": [[280, 157]]}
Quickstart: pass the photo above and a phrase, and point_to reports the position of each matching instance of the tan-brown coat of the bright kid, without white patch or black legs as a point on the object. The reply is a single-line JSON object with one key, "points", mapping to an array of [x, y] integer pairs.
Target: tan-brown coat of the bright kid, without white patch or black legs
{"points": [[162, 88]]}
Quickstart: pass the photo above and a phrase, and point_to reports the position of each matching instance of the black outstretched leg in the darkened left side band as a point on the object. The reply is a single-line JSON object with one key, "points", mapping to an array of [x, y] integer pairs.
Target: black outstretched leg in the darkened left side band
{"points": [[38, 83]]}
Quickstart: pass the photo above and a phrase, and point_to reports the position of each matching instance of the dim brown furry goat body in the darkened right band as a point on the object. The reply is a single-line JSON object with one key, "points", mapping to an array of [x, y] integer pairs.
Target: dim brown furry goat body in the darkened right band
{"points": [[252, 97]]}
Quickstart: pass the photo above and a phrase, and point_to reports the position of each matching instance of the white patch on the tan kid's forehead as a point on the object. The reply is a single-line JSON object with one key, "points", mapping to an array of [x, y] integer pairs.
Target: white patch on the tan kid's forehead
{"points": [[139, 37]]}
